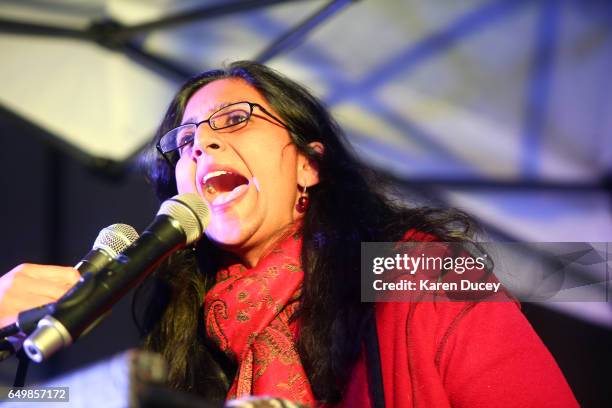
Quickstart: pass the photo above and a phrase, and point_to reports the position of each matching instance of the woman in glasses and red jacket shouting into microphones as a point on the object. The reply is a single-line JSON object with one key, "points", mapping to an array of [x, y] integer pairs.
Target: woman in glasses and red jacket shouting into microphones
{"points": [[268, 302]]}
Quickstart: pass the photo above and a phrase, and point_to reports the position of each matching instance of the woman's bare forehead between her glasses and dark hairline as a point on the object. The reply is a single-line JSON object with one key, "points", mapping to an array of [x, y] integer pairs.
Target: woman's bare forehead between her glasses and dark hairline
{"points": [[216, 94]]}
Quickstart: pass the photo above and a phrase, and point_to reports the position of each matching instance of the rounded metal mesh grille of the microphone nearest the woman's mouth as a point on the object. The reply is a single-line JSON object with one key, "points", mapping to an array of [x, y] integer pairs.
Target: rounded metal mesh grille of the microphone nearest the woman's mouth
{"points": [[190, 211]]}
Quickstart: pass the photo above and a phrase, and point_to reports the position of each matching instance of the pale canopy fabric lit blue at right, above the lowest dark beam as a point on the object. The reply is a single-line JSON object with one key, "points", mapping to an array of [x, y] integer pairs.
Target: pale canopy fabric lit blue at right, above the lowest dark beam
{"points": [[449, 86]]}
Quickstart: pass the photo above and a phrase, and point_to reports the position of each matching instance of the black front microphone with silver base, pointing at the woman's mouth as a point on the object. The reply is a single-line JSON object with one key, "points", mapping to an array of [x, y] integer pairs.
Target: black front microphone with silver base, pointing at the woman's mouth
{"points": [[180, 221]]}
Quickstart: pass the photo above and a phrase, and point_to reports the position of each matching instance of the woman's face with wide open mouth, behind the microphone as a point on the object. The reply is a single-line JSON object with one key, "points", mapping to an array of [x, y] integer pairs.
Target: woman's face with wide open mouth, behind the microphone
{"points": [[248, 177]]}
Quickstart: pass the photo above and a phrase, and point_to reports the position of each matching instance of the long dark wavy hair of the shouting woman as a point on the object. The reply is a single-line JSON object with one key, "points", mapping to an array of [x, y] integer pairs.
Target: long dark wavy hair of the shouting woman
{"points": [[349, 205]]}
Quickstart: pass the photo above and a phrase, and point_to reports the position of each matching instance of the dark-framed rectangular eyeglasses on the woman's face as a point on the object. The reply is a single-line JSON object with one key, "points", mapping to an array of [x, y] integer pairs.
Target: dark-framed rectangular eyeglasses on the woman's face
{"points": [[227, 119]]}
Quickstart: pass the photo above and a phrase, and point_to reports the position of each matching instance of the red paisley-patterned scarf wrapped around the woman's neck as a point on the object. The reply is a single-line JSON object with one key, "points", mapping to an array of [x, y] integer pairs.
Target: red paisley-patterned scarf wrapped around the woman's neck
{"points": [[247, 314]]}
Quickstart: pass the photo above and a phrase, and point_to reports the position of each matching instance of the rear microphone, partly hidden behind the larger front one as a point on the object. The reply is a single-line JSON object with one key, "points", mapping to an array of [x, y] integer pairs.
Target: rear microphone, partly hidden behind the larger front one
{"points": [[111, 241]]}
